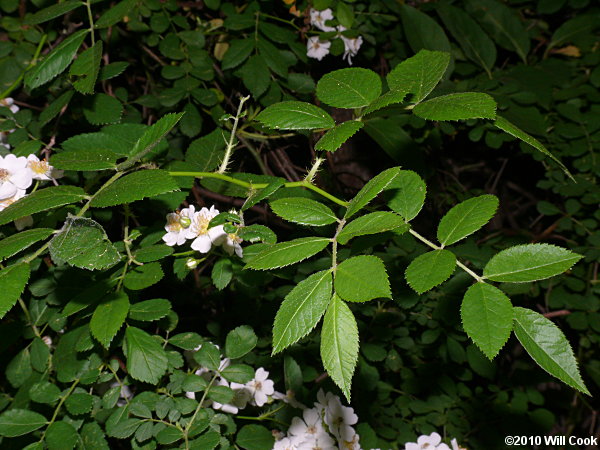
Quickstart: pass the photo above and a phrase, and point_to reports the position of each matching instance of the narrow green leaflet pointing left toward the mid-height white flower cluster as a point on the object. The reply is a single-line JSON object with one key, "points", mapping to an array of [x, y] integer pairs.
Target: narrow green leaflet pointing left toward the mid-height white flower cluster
{"points": [[286, 253]]}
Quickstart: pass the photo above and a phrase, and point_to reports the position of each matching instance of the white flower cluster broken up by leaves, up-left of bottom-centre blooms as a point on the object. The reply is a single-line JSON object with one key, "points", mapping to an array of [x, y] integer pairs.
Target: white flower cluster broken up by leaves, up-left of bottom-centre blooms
{"points": [[256, 392]]}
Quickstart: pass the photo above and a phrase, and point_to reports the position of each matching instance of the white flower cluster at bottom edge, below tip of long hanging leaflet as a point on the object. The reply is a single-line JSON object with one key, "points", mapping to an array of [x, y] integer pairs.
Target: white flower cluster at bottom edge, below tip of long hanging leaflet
{"points": [[327, 426]]}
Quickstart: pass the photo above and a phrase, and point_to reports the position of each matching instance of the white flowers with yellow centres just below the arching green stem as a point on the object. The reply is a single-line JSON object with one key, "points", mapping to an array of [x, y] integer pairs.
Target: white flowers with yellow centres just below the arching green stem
{"points": [[191, 224]]}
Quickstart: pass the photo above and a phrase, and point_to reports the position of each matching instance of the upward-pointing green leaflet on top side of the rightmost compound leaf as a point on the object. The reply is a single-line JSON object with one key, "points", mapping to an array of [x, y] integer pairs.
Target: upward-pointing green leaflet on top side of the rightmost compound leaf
{"points": [[466, 218]]}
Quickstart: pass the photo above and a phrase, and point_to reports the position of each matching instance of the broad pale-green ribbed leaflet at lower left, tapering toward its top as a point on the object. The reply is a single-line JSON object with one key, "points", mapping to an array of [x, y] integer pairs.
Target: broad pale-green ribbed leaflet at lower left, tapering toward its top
{"points": [[146, 359]]}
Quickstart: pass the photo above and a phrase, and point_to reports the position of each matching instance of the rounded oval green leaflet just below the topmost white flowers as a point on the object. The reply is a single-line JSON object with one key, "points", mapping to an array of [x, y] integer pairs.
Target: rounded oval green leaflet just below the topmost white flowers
{"points": [[353, 87]]}
